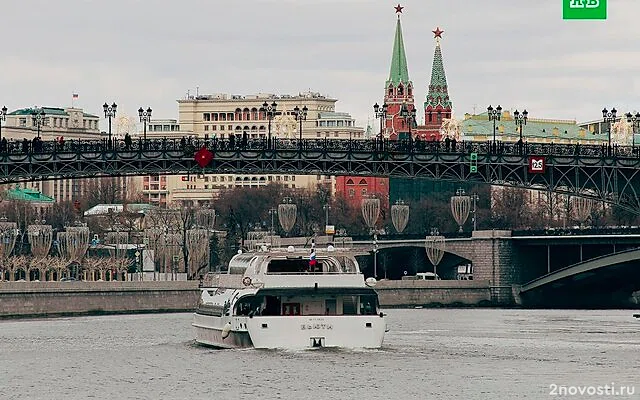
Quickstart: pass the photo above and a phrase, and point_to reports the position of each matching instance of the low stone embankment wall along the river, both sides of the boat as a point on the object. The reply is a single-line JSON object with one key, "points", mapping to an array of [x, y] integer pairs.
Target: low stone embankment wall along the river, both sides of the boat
{"points": [[55, 299]]}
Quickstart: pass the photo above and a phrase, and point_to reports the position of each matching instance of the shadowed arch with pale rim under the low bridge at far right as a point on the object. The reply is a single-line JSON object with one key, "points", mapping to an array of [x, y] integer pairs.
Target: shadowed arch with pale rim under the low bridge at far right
{"points": [[601, 281]]}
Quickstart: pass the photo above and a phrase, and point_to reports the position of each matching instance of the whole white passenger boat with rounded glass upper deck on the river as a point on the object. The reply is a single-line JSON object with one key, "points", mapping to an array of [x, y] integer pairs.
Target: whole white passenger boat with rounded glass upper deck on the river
{"points": [[290, 299]]}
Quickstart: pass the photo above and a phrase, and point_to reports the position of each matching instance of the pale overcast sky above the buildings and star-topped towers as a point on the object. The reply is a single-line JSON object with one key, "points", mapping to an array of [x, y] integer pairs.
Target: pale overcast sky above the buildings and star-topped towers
{"points": [[519, 54]]}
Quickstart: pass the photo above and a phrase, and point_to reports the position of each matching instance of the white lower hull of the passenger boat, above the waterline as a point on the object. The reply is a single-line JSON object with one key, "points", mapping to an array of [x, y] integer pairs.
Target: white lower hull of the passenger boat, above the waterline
{"points": [[292, 332]]}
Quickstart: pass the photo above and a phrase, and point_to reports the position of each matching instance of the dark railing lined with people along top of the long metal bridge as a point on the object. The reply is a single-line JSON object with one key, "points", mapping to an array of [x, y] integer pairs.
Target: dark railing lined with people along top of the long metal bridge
{"points": [[404, 146]]}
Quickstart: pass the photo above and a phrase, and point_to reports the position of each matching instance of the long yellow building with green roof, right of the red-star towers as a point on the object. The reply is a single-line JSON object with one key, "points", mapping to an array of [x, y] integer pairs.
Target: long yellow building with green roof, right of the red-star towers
{"points": [[480, 125]]}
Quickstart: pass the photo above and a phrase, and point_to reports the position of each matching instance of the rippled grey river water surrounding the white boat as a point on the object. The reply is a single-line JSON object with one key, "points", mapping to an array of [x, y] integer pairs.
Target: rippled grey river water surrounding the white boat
{"points": [[428, 354]]}
